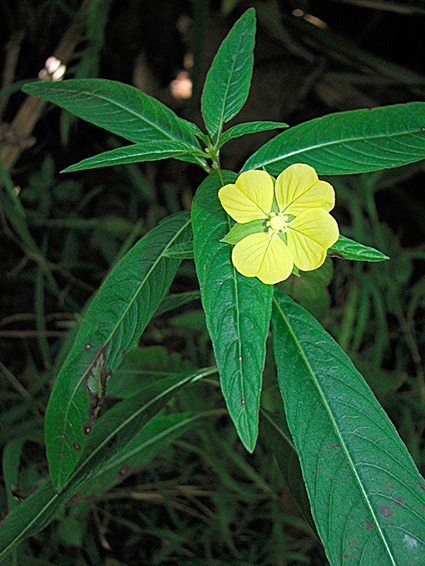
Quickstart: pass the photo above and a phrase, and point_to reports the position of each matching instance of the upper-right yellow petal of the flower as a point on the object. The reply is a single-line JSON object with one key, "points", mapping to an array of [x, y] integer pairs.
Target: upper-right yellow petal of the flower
{"points": [[298, 188]]}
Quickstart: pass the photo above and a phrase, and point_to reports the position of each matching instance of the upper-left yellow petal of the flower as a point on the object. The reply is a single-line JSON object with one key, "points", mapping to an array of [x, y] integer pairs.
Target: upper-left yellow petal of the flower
{"points": [[250, 198]]}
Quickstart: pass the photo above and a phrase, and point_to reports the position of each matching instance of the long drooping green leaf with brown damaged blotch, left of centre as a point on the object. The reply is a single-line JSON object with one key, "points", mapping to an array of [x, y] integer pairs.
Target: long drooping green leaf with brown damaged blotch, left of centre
{"points": [[114, 321]]}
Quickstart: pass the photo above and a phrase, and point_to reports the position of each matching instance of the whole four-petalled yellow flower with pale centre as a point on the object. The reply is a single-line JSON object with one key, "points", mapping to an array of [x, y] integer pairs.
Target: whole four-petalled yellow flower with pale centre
{"points": [[295, 229]]}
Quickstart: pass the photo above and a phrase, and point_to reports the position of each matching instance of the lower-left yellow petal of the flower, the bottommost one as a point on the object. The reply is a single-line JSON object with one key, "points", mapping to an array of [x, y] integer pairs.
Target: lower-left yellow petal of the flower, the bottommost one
{"points": [[263, 256]]}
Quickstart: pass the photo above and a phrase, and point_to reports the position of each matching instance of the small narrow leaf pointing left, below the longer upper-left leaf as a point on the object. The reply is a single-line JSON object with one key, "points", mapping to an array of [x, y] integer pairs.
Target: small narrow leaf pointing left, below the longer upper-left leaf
{"points": [[146, 151]]}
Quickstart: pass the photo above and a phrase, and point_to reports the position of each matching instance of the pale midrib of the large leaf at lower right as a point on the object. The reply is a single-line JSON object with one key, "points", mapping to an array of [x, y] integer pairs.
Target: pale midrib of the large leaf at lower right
{"points": [[335, 427]]}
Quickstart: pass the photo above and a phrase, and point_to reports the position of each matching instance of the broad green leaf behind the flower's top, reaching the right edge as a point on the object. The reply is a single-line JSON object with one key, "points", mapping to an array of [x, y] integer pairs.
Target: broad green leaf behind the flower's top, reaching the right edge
{"points": [[357, 141]]}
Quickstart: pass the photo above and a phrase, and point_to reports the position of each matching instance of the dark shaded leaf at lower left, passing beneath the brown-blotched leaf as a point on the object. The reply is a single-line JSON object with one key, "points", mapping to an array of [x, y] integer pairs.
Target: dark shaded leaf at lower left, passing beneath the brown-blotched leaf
{"points": [[125, 420]]}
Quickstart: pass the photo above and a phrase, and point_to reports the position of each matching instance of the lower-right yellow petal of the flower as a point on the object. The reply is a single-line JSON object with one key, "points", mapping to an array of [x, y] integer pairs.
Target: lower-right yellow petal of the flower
{"points": [[309, 236]]}
